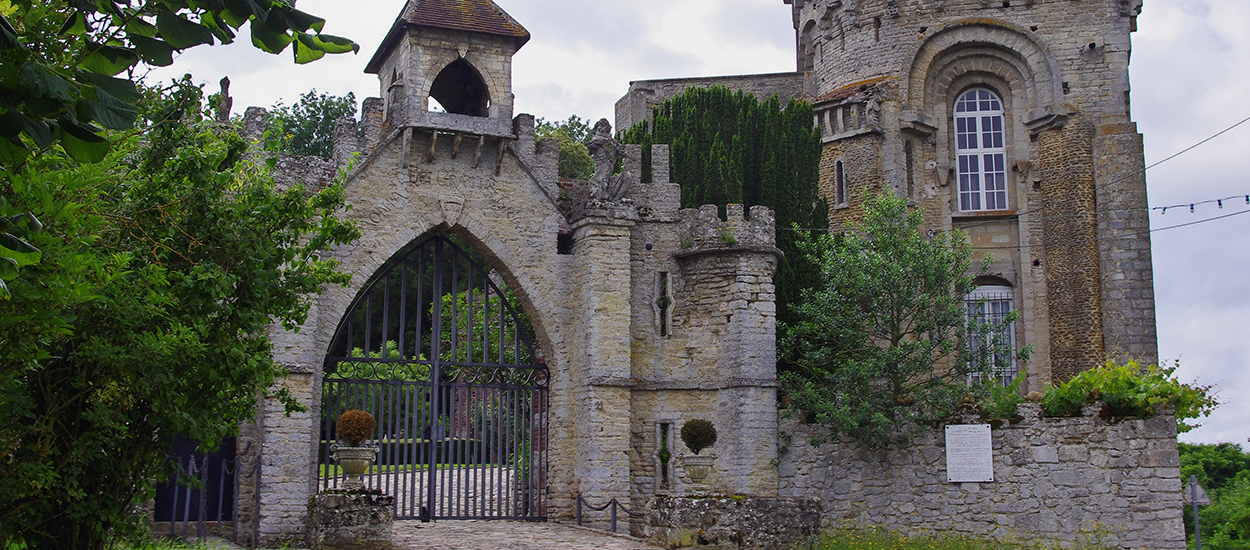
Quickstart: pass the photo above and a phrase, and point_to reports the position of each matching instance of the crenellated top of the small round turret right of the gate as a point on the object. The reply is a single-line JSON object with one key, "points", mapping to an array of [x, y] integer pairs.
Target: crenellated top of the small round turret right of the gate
{"points": [[704, 231]]}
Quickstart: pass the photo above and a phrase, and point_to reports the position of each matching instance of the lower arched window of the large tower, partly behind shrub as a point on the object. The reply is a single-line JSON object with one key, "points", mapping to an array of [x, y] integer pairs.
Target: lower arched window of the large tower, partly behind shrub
{"points": [[991, 334]]}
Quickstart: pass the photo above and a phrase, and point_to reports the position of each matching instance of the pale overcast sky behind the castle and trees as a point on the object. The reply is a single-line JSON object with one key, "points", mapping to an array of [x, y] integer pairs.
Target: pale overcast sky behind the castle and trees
{"points": [[1191, 77]]}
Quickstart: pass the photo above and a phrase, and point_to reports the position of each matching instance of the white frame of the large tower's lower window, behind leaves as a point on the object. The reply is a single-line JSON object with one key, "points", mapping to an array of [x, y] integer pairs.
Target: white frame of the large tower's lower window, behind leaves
{"points": [[993, 303]]}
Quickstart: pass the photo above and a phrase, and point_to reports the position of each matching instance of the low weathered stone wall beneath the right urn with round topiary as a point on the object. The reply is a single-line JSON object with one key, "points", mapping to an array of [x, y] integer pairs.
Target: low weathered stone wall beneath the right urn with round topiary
{"points": [[718, 522]]}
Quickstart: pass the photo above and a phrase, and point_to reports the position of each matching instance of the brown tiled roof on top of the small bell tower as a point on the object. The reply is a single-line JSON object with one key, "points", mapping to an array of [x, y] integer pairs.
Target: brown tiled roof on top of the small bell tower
{"points": [[467, 16]]}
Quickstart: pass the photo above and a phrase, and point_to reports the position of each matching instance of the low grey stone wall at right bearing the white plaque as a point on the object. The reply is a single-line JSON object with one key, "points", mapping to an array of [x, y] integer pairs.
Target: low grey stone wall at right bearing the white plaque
{"points": [[1074, 481]]}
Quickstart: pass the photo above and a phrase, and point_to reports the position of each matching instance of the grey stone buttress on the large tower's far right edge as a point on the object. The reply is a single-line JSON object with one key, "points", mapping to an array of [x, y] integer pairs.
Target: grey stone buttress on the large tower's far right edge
{"points": [[1124, 243]]}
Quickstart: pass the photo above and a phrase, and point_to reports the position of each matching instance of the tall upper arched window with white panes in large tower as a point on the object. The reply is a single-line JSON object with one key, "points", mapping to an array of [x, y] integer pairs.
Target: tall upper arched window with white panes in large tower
{"points": [[982, 151]]}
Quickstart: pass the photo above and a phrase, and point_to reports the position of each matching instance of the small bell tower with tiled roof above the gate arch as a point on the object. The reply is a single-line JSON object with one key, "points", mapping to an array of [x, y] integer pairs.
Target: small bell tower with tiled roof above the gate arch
{"points": [[448, 66]]}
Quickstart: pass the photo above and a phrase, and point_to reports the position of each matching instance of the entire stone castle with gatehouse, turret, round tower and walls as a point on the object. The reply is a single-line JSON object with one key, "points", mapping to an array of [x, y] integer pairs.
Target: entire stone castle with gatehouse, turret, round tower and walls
{"points": [[1006, 119]]}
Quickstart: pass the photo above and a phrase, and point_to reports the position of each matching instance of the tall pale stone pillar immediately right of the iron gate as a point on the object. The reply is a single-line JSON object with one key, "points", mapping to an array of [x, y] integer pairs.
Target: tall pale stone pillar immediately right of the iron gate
{"points": [[602, 368]]}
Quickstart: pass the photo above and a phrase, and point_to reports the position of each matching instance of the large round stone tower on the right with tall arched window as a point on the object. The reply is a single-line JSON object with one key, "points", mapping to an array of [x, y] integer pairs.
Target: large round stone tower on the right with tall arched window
{"points": [[1011, 121]]}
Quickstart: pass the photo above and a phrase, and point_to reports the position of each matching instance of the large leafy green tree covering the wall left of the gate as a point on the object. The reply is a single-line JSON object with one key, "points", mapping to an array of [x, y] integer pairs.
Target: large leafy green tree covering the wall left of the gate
{"points": [[163, 268]]}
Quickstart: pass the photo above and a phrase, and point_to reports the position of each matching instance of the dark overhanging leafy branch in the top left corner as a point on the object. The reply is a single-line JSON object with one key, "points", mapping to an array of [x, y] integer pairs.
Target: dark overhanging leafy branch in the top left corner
{"points": [[61, 61]]}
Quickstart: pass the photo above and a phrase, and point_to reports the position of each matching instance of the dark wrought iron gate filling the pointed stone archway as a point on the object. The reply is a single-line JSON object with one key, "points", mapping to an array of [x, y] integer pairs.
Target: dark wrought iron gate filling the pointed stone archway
{"points": [[443, 358]]}
